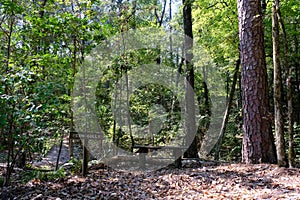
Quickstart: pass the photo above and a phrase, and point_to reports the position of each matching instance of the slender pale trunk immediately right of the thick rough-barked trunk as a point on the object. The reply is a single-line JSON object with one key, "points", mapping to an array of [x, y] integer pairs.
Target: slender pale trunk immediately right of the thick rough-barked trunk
{"points": [[278, 116]]}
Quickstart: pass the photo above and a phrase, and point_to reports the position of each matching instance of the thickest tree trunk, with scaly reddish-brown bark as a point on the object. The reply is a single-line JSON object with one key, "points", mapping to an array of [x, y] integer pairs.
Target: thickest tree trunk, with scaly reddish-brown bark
{"points": [[257, 138]]}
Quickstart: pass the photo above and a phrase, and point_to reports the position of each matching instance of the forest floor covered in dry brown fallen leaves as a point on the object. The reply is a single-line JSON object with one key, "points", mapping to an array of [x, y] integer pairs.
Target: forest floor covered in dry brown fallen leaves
{"points": [[197, 181]]}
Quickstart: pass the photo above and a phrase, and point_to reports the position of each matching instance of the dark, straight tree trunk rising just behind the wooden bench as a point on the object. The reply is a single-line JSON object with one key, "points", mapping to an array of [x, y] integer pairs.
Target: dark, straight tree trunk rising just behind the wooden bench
{"points": [[190, 122]]}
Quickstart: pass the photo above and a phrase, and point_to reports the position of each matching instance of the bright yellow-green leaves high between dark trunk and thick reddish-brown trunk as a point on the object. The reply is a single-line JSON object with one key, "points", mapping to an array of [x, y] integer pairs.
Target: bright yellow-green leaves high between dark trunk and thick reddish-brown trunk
{"points": [[216, 28]]}
